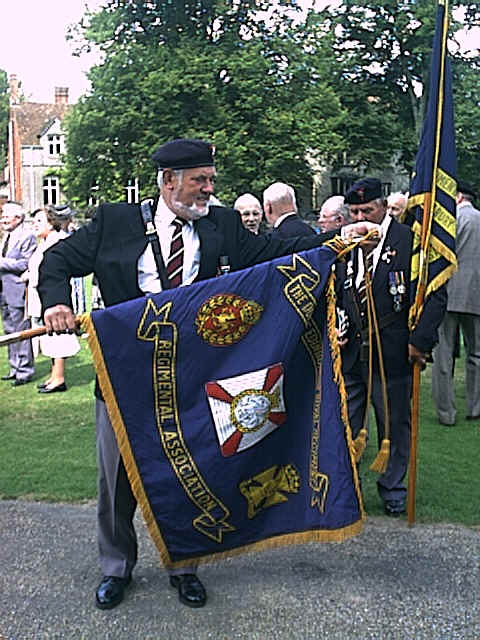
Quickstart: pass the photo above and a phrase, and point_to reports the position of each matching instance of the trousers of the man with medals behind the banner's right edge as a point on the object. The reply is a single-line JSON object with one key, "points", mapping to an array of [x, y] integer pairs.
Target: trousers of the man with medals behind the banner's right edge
{"points": [[390, 484]]}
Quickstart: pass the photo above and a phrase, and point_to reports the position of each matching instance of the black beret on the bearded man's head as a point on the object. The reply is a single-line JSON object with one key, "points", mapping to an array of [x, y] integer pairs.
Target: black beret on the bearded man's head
{"points": [[184, 153]]}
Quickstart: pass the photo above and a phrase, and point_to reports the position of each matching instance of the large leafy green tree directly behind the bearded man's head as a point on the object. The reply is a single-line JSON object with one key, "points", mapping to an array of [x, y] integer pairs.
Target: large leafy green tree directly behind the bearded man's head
{"points": [[265, 101]]}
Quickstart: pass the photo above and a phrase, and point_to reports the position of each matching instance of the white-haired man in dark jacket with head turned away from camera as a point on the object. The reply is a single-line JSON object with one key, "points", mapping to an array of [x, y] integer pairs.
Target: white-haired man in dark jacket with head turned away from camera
{"points": [[280, 206]]}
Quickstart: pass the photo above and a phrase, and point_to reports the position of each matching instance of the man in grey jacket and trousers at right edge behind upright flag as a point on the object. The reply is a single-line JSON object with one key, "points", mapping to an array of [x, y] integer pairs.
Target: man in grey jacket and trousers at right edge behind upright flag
{"points": [[463, 312]]}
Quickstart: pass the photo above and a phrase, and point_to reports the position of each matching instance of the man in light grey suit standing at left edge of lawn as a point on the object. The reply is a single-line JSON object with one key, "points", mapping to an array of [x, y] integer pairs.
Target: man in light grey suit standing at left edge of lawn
{"points": [[17, 245]]}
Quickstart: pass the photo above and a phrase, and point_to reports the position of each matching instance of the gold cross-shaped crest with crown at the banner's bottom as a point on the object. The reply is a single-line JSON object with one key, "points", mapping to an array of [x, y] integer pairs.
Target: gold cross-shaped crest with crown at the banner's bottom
{"points": [[269, 488]]}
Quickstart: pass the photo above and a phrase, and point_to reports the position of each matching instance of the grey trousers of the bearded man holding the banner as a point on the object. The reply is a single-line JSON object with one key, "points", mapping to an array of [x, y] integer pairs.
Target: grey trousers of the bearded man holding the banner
{"points": [[117, 540]]}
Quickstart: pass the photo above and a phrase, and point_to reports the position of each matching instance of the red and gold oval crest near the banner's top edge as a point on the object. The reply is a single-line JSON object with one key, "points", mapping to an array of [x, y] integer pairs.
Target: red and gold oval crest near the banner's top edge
{"points": [[226, 318]]}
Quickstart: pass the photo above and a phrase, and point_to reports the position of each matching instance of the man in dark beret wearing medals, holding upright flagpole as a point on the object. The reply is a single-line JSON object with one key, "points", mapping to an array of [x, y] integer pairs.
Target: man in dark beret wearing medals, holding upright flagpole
{"points": [[389, 268]]}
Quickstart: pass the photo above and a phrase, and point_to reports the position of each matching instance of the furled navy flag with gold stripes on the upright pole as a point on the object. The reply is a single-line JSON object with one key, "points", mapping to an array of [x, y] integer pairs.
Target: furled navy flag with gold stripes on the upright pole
{"points": [[433, 187]]}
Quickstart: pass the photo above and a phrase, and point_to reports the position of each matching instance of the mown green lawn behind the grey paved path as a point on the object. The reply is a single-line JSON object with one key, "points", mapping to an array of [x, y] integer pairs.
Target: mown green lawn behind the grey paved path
{"points": [[47, 445]]}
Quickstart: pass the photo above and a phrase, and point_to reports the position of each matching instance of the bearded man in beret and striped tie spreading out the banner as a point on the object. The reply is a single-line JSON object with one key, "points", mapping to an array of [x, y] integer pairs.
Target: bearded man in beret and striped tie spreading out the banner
{"points": [[134, 250]]}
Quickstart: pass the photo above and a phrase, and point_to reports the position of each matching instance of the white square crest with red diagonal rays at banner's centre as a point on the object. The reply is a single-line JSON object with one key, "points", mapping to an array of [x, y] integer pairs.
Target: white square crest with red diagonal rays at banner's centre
{"points": [[247, 408]]}
